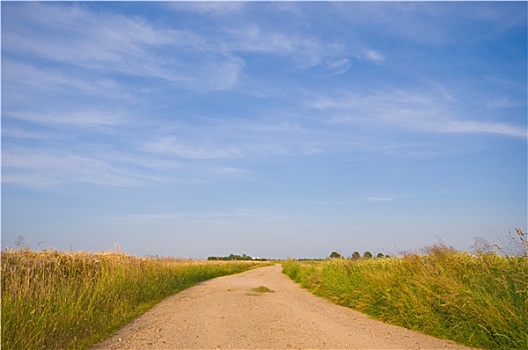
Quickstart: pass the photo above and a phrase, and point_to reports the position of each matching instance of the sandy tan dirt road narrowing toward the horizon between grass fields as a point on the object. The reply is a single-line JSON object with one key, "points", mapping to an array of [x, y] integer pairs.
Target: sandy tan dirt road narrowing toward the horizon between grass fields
{"points": [[226, 313]]}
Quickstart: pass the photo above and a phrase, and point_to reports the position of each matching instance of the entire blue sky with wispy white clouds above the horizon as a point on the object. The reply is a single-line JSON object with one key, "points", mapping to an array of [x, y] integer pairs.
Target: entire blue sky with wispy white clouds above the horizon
{"points": [[273, 129]]}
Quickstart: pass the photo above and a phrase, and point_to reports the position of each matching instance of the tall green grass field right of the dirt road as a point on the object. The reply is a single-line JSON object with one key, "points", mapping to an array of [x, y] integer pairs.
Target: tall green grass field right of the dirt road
{"points": [[477, 300]]}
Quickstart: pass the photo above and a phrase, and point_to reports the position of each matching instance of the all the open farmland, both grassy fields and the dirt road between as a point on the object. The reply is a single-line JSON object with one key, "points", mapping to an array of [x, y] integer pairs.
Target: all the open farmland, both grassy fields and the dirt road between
{"points": [[61, 300]]}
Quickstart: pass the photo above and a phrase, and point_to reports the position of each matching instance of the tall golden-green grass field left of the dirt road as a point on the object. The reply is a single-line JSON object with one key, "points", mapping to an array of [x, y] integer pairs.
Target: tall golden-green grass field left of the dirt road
{"points": [[57, 300]]}
